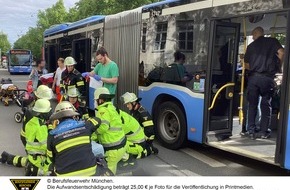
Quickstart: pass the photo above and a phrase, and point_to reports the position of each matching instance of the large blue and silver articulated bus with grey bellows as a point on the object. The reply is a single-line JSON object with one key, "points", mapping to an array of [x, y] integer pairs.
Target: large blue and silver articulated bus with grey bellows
{"points": [[214, 35]]}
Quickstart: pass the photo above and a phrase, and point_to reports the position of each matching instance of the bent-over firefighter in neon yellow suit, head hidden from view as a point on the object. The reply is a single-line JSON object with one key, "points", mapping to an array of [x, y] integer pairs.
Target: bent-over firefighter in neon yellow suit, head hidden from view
{"points": [[136, 139]]}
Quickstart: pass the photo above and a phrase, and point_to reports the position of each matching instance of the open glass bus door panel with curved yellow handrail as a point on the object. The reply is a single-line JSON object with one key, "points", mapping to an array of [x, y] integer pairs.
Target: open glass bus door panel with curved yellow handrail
{"points": [[224, 41]]}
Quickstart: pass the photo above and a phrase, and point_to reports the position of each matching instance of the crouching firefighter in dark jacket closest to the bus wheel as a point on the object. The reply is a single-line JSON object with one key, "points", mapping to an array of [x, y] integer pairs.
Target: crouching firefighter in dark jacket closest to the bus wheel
{"points": [[142, 116]]}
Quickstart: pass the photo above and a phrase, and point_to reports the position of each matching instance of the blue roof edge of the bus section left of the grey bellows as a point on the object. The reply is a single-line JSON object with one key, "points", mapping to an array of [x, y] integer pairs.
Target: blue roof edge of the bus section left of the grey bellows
{"points": [[69, 26]]}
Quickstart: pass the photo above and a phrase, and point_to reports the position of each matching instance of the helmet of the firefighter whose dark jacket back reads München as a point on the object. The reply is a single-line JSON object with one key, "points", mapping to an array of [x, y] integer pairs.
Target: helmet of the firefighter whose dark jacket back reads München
{"points": [[64, 109]]}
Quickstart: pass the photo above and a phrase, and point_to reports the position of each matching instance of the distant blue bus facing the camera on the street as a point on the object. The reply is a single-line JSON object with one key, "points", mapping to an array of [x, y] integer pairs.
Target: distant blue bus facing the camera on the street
{"points": [[19, 61]]}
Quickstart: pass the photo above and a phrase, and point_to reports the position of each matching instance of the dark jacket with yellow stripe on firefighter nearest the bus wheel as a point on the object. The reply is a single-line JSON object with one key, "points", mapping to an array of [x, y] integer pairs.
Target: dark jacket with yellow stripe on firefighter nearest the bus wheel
{"points": [[145, 120]]}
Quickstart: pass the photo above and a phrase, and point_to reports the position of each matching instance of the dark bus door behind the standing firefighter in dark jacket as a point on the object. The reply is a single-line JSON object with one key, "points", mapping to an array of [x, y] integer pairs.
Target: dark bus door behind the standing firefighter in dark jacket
{"points": [[81, 51]]}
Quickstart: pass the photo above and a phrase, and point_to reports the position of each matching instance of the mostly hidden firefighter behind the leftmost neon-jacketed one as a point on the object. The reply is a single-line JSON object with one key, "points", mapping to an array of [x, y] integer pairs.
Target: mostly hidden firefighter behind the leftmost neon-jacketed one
{"points": [[42, 92]]}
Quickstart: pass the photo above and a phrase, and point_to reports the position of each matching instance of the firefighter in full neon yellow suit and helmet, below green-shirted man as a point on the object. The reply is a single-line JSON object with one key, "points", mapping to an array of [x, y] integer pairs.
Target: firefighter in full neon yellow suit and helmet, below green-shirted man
{"points": [[110, 133]]}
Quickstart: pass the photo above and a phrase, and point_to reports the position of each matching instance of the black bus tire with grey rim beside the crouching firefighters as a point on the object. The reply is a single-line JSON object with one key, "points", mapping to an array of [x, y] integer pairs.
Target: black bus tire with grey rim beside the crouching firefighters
{"points": [[171, 125]]}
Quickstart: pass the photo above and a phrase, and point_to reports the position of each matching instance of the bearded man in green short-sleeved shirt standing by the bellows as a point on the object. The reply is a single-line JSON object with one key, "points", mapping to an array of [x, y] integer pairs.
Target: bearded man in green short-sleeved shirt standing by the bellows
{"points": [[106, 71]]}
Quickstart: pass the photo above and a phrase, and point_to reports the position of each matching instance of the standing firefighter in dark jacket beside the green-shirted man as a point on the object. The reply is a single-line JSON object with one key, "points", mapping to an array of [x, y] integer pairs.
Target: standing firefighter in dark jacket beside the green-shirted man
{"points": [[71, 78]]}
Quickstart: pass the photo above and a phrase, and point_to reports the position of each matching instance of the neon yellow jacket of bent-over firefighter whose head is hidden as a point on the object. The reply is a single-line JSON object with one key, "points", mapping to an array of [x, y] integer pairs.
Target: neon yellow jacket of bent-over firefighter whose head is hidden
{"points": [[132, 129]]}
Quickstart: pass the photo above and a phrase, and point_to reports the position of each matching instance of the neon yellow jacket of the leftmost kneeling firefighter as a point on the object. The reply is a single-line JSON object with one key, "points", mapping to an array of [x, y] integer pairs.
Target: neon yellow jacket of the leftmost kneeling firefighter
{"points": [[36, 133]]}
